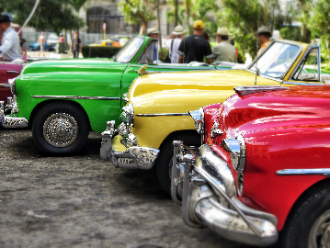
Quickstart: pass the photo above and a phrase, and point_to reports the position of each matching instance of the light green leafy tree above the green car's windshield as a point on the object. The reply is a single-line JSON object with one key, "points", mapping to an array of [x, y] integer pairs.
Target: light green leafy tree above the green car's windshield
{"points": [[136, 11]]}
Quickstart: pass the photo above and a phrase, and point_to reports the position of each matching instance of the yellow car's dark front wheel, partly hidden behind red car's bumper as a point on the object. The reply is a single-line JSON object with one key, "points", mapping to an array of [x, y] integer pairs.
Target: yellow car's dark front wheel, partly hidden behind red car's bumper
{"points": [[164, 160]]}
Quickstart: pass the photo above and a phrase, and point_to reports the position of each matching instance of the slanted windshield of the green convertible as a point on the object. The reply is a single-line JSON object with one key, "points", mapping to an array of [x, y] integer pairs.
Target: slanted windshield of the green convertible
{"points": [[127, 53]]}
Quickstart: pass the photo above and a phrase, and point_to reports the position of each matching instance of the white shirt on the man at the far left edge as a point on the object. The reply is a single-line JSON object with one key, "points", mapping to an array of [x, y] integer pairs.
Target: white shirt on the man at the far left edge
{"points": [[10, 48]]}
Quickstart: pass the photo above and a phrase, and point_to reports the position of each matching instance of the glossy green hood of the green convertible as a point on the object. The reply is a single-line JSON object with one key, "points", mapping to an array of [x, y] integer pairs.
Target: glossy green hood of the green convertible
{"points": [[70, 65]]}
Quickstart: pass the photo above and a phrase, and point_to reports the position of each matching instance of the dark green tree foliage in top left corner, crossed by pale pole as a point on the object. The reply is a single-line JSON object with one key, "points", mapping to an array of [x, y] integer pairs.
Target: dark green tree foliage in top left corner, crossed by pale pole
{"points": [[50, 14]]}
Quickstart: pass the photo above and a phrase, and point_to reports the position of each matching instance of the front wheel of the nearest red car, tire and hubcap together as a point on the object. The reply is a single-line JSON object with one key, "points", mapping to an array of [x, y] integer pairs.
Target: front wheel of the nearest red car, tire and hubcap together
{"points": [[310, 225]]}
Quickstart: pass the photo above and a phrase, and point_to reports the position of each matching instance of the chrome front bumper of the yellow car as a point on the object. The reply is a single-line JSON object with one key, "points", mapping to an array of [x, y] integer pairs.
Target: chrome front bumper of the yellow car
{"points": [[134, 157]]}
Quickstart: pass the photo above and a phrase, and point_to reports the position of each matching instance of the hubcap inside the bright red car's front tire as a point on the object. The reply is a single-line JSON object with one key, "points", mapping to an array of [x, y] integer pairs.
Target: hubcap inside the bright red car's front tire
{"points": [[319, 236]]}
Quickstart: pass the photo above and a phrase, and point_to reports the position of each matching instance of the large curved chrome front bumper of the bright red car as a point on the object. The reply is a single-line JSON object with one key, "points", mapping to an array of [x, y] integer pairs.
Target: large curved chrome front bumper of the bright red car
{"points": [[208, 200]]}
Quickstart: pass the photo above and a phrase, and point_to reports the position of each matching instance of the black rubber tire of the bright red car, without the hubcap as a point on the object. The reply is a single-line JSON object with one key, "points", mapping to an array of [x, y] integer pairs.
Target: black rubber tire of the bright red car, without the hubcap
{"points": [[296, 231]]}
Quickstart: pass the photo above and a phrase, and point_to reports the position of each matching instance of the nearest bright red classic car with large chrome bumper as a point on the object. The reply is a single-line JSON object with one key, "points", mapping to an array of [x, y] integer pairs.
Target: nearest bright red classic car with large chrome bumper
{"points": [[262, 173]]}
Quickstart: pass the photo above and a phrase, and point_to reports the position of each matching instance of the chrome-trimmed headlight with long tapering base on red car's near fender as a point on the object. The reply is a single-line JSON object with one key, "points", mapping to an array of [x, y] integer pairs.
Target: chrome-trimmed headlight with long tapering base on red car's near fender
{"points": [[236, 148]]}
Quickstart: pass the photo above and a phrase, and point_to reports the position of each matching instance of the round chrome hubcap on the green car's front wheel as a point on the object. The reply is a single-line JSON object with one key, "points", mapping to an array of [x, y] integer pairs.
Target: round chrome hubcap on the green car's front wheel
{"points": [[60, 130]]}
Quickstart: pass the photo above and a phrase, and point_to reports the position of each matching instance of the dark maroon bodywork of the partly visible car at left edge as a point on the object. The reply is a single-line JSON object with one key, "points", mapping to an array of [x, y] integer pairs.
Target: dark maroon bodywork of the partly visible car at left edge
{"points": [[7, 71]]}
